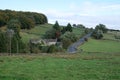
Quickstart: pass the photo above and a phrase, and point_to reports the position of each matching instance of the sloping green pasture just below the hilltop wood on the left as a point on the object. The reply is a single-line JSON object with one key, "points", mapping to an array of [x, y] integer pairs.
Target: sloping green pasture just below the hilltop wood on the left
{"points": [[36, 32]]}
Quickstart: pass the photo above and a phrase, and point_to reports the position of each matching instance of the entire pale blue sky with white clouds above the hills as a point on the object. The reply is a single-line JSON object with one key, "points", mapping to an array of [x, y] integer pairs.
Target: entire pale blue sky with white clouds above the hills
{"points": [[87, 12]]}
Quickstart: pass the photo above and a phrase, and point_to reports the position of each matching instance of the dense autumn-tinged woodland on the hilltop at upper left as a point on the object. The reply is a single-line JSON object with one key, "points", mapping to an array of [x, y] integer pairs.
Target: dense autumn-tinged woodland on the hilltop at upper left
{"points": [[27, 19]]}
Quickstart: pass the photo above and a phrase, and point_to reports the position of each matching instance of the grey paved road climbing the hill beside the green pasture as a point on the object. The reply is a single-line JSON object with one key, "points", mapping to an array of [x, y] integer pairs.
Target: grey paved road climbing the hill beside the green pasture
{"points": [[73, 48]]}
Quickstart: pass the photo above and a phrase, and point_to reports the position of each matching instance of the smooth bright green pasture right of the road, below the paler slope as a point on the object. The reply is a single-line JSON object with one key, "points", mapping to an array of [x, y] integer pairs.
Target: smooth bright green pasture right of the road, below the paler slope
{"points": [[101, 46]]}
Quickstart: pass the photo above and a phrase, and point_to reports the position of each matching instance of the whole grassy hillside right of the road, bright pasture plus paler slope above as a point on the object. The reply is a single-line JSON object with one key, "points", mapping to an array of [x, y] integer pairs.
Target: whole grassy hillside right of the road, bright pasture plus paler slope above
{"points": [[107, 45]]}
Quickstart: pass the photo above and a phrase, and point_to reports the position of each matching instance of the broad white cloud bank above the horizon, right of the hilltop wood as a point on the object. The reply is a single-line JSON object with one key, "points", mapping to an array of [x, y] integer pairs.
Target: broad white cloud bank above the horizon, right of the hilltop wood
{"points": [[87, 13]]}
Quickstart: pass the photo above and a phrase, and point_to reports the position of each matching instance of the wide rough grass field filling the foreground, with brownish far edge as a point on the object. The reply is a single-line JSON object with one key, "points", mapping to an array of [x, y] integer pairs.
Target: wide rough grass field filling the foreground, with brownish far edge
{"points": [[85, 66]]}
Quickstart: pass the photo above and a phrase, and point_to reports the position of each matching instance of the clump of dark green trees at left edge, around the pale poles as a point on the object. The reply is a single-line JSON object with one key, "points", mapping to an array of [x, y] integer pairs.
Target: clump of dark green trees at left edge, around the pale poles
{"points": [[10, 40]]}
